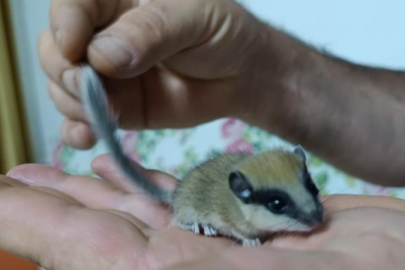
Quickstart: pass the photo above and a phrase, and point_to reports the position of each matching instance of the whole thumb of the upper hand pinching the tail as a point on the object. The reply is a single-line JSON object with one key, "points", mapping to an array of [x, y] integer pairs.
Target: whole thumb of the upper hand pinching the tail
{"points": [[146, 35]]}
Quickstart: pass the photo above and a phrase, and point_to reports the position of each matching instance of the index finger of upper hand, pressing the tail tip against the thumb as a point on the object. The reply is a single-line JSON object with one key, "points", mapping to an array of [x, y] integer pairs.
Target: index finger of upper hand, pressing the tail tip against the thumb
{"points": [[73, 22]]}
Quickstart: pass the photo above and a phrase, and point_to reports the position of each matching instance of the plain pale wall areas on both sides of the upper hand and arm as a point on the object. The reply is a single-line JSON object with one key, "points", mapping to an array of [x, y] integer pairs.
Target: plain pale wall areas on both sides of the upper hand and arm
{"points": [[367, 31]]}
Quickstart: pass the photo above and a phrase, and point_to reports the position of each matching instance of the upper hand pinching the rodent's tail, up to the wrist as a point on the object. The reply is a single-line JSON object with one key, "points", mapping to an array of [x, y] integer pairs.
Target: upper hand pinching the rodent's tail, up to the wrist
{"points": [[168, 63]]}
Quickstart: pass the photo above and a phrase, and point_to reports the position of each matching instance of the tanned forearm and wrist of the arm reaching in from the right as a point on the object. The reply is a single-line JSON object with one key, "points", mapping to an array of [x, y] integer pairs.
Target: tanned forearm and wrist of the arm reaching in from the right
{"points": [[352, 116]]}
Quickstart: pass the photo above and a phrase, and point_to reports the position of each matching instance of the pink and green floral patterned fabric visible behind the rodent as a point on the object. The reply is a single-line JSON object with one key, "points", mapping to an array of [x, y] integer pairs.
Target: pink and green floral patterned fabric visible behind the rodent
{"points": [[177, 151]]}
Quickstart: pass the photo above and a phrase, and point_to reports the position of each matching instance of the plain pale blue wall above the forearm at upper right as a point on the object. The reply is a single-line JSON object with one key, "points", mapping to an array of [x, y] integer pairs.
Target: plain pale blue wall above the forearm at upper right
{"points": [[365, 31]]}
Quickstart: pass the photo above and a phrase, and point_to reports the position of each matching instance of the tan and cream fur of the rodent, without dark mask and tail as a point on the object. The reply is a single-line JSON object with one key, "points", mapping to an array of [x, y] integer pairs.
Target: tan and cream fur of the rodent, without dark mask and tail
{"points": [[204, 195]]}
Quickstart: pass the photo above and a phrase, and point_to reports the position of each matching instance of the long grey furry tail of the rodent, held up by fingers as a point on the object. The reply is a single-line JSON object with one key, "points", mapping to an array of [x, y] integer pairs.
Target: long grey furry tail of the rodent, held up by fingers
{"points": [[101, 118]]}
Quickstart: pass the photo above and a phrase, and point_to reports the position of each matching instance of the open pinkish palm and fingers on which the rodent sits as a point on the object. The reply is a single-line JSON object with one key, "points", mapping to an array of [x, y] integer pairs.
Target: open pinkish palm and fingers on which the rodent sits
{"points": [[77, 222]]}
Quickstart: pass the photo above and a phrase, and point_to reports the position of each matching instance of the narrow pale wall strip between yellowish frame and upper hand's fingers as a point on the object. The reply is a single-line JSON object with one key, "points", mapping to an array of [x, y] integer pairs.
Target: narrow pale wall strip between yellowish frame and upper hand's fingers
{"points": [[30, 18]]}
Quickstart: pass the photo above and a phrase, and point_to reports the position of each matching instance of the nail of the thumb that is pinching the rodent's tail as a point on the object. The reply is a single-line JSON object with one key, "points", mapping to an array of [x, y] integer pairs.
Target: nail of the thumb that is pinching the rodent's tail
{"points": [[118, 51]]}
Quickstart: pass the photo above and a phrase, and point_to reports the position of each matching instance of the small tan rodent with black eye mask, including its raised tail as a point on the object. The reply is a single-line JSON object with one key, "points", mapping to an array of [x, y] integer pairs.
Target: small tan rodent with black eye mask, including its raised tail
{"points": [[243, 196]]}
